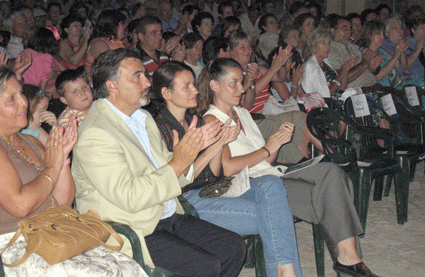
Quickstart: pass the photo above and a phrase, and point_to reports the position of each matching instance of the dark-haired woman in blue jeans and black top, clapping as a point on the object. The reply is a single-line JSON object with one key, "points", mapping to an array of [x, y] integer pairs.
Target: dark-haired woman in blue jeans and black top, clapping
{"points": [[263, 209]]}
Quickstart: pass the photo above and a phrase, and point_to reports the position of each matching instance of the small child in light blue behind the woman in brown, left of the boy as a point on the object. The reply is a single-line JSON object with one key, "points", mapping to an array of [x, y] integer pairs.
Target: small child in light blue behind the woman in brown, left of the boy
{"points": [[37, 113]]}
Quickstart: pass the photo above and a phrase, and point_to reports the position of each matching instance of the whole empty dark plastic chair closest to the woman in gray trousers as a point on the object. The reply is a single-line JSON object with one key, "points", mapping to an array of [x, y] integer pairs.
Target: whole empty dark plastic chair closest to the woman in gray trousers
{"points": [[325, 125]]}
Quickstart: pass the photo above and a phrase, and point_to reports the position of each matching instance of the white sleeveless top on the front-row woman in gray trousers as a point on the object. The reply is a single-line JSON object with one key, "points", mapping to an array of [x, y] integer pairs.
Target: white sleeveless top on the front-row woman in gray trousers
{"points": [[247, 142]]}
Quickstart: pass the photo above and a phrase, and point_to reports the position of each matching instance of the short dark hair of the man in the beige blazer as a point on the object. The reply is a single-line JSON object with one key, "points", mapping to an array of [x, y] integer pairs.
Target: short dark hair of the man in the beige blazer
{"points": [[106, 68]]}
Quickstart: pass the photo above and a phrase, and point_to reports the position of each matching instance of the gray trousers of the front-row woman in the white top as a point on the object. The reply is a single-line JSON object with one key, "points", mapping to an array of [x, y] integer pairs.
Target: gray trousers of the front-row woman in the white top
{"points": [[323, 194]]}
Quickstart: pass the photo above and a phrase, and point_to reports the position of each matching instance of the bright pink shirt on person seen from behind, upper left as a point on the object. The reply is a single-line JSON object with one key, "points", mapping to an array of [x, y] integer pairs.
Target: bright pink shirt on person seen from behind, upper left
{"points": [[40, 68]]}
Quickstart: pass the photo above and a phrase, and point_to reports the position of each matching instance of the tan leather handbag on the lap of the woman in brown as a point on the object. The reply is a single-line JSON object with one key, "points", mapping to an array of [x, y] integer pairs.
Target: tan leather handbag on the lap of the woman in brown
{"points": [[60, 233]]}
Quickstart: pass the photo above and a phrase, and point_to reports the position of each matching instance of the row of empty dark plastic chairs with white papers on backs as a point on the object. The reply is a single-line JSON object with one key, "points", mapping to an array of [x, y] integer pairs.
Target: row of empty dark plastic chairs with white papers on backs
{"points": [[377, 152]]}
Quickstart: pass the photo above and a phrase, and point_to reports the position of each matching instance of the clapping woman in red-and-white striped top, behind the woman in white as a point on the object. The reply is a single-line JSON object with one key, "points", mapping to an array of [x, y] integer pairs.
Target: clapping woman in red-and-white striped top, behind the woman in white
{"points": [[256, 86]]}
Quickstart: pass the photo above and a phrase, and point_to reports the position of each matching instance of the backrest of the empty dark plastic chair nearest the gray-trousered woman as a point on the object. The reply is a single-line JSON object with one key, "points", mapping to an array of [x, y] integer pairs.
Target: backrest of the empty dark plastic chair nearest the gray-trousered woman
{"points": [[325, 125]]}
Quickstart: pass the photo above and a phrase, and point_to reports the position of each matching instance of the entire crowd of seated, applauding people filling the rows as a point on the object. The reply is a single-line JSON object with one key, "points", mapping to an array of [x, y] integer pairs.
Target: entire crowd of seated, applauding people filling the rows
{"points": [[75, 75]]}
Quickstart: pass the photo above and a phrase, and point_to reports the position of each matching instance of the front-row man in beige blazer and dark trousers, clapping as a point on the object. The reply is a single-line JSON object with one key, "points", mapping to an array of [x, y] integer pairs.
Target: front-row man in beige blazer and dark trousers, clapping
{"points": [[123, 170]]}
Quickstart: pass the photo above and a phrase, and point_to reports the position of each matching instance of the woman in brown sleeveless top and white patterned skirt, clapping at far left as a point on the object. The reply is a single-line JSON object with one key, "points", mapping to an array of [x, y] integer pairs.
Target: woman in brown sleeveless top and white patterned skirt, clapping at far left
{"points": [[34, 178]]}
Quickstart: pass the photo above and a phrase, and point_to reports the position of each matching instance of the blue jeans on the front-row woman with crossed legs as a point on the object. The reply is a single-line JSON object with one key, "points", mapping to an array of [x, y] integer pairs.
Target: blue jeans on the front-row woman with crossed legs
{"points": [[263, 210]]}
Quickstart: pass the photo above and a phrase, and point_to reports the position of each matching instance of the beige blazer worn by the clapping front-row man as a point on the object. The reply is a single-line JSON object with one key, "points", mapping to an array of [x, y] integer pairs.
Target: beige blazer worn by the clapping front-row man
{"points": [[115, 177]]}
